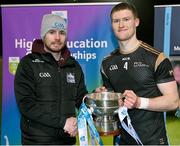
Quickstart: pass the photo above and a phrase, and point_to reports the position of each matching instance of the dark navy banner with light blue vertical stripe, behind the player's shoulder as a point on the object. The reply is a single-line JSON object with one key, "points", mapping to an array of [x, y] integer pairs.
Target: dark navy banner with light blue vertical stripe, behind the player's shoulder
{"points": [[166, 34]]}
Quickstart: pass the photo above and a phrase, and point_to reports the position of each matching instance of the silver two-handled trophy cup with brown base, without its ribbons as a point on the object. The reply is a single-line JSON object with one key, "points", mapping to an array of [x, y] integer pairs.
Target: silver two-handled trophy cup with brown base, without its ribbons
{"points": [[104, 106]]}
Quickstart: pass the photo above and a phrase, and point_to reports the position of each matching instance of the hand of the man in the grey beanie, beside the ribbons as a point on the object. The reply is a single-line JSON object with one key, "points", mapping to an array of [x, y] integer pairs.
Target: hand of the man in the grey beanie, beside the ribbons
{"points": [[71, 126]]}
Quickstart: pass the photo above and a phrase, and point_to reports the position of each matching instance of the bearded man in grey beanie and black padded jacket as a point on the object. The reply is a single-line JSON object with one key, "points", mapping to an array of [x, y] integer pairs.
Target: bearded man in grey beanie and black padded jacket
{"points": [[49, 85]]}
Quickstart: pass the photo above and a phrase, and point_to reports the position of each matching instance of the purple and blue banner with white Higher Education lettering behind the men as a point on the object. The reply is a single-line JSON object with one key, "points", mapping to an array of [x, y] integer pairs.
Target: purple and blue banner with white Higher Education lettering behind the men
{"points": [[90, 38]]}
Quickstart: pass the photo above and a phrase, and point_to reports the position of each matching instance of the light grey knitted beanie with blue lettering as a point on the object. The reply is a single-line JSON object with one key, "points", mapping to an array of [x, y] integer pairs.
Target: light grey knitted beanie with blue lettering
{"points": [[52, 21]]}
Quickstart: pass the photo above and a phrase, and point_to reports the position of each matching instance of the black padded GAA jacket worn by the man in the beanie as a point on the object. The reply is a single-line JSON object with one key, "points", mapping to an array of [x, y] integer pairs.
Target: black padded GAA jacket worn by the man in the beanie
{"points": [[47, 93]]}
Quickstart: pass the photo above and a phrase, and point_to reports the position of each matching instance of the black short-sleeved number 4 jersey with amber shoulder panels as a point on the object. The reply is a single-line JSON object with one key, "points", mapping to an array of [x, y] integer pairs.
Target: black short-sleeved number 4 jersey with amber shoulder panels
{"points": [[140, 71]]}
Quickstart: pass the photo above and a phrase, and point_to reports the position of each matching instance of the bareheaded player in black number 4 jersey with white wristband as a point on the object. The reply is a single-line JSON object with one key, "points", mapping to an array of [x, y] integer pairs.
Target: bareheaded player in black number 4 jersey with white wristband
{"points": [[144, 76]]}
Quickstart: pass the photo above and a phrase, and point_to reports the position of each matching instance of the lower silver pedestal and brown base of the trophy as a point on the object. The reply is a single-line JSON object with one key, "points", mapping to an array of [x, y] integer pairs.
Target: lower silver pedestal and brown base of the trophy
{"points": [[107, 125]]}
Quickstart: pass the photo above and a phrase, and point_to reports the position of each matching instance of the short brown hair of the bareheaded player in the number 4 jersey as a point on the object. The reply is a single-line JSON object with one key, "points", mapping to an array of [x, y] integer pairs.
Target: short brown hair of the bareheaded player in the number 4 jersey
{"points": [[125, 6]]}
